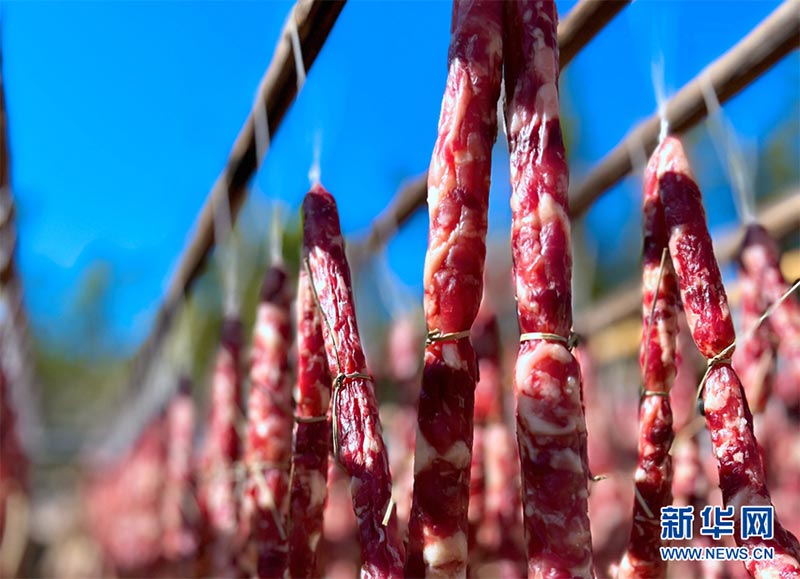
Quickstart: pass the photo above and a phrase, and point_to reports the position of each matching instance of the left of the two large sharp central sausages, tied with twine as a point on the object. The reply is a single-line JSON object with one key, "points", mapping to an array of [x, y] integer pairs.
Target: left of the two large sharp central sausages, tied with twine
{"points": [[458, 190]]}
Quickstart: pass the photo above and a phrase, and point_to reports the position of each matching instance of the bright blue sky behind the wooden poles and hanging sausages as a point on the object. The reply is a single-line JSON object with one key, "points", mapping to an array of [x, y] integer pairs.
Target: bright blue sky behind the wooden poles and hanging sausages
{"points": [[122, 114]]}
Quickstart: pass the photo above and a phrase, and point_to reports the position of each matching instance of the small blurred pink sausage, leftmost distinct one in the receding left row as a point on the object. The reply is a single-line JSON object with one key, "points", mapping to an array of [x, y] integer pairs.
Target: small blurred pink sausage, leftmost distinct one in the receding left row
{"points": [[180, 540]]}
